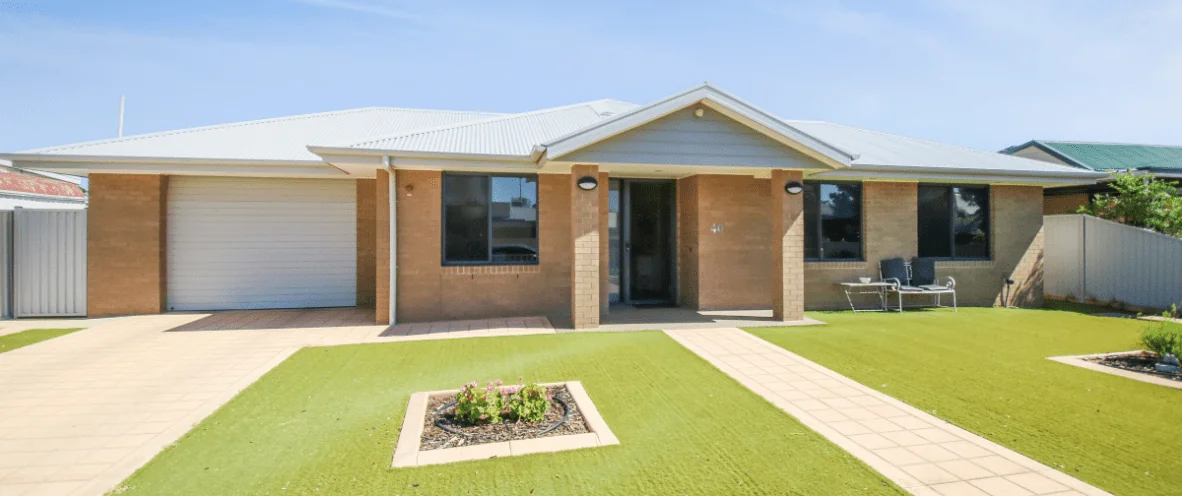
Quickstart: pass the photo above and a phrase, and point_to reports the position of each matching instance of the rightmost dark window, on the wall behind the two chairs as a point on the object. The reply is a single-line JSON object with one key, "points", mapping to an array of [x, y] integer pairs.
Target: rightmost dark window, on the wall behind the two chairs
{"points": [[954, 221]]}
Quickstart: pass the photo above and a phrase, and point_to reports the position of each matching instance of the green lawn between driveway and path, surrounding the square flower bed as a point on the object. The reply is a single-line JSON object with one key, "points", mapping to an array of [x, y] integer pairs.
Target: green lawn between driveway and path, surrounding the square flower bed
{"points": [[326, 422]]}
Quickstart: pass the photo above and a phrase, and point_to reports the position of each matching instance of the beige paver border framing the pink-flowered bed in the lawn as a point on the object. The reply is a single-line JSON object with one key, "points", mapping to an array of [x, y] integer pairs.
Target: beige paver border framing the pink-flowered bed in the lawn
{"points": [[408, 454]]}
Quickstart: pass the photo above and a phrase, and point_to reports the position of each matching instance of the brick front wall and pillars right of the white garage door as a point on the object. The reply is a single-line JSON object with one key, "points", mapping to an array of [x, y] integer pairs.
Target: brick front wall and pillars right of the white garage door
{"points": [[731, 269]]}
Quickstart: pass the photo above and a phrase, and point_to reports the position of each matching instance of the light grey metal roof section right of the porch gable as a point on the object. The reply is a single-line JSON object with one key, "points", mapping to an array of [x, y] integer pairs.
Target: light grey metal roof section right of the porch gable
{"points": [[884, 151]]}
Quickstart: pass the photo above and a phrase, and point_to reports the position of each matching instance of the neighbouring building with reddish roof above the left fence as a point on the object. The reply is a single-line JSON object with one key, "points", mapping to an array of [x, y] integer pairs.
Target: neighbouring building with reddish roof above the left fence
{"points": [[38, 191]]}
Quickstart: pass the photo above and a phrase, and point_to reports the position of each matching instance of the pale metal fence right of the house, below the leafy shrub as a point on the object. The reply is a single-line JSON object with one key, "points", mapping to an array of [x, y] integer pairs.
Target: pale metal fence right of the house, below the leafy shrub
{"points": [[1090, 258]]}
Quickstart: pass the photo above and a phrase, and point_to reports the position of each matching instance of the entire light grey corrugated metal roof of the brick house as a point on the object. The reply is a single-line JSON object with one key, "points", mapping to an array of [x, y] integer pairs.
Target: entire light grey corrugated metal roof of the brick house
{"points": [[393, 130]]}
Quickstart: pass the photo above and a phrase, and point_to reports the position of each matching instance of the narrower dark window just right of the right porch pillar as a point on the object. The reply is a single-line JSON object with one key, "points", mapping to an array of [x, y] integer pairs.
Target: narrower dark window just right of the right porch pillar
{"points": [[833, 221]]}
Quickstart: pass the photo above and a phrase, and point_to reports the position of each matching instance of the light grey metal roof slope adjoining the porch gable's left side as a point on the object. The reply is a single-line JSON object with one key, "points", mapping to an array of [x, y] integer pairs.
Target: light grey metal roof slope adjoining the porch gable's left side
{"points": [[515, 134]]}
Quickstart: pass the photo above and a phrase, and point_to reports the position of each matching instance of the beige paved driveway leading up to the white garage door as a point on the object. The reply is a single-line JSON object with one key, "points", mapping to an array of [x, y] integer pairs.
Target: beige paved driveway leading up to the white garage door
{"points": [[81, 413]]}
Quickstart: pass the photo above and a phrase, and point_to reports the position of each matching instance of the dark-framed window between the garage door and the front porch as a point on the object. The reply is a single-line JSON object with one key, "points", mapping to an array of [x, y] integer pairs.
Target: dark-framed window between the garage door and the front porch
{"points": [[490, 220]]}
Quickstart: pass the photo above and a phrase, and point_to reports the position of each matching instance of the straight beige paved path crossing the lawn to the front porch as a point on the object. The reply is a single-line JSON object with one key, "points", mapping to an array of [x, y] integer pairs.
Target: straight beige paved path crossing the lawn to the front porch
{"points": [[918, 452]]}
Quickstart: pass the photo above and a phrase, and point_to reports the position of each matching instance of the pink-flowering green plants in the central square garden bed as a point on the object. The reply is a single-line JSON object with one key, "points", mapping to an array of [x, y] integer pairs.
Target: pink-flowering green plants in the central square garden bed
{"points": [[495, 404]]}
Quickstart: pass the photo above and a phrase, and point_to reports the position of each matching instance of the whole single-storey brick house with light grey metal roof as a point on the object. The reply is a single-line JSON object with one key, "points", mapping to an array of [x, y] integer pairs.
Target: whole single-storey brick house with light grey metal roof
{"points": [[699, 200]]}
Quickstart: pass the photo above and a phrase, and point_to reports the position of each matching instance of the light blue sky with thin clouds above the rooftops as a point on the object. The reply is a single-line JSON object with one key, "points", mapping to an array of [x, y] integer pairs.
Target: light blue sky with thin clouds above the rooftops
{"points": [[979, 74]]}
